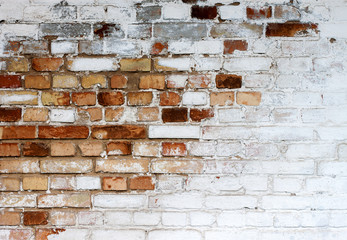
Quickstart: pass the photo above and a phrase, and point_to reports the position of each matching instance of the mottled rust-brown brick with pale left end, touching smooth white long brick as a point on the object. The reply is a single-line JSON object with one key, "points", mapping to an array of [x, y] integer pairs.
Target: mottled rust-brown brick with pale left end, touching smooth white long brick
{"points": [[119, 132]]}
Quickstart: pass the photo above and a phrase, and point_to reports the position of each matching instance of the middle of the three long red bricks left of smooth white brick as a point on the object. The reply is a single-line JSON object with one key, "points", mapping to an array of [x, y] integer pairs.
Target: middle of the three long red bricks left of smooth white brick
{"points": [[63, 132]]}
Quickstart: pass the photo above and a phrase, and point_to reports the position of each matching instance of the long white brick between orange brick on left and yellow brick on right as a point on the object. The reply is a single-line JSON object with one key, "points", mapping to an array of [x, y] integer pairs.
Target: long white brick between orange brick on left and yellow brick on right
{"points": [[92, 64]]}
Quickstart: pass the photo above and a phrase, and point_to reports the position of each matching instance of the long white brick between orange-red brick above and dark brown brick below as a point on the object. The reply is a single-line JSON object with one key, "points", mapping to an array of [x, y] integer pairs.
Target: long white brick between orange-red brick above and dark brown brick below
{"points": [[247, 64]]}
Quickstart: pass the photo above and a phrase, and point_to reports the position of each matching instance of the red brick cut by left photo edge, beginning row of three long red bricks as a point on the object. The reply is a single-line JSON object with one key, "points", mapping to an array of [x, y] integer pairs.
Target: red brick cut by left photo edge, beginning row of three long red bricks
{"points": [[18, 132]]}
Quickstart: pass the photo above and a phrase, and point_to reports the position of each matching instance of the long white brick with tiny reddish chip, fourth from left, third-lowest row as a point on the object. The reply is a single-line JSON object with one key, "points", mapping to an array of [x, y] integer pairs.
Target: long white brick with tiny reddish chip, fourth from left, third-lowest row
{"points": [[178, 201]]}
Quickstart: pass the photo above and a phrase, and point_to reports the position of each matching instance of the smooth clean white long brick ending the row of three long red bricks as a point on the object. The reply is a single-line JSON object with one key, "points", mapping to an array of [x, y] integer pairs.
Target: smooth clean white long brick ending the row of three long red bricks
{"points": [[174, 131]]}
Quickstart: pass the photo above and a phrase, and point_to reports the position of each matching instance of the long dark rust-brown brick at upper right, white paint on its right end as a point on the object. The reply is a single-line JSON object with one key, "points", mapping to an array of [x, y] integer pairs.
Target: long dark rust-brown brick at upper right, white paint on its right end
{"points": [[289, 29]]}
